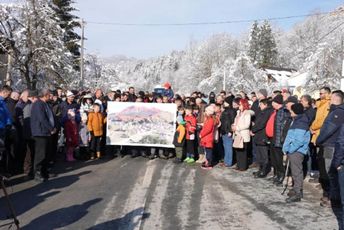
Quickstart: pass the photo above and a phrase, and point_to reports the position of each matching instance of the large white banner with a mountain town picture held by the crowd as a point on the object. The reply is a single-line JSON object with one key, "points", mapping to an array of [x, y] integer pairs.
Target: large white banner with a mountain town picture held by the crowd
{"points": [[141, 124]]}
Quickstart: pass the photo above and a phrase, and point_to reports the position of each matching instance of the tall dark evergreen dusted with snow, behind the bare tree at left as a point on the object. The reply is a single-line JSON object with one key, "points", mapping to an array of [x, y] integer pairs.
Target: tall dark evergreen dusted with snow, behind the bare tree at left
{"points": [[68, 22]]}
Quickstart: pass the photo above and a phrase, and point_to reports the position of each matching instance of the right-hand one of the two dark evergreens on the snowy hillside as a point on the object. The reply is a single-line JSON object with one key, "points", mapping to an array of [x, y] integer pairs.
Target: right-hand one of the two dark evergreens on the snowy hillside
{"points": [[267, 46]]}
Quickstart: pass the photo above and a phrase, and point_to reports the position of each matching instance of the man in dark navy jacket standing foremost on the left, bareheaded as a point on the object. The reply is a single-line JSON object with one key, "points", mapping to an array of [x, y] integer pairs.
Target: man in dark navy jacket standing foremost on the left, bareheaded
{"points": [[42, 127]]}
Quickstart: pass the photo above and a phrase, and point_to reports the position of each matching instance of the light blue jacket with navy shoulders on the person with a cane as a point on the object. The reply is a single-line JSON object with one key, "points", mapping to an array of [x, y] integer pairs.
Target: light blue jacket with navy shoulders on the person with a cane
{"points": [[298, 136]]}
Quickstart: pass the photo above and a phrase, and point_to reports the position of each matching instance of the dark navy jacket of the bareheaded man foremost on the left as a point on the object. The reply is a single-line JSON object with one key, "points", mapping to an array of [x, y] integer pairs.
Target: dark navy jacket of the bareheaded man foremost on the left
{"points": [[42, 119]]}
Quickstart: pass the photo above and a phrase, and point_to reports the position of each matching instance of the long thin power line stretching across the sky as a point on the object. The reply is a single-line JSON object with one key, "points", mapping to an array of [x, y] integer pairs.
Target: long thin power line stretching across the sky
{"points": [[207, 23]]}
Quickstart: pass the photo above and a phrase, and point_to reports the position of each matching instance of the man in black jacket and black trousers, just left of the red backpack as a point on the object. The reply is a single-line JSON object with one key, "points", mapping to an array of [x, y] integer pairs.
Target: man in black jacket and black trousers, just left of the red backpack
{"points": [[260, 139]]}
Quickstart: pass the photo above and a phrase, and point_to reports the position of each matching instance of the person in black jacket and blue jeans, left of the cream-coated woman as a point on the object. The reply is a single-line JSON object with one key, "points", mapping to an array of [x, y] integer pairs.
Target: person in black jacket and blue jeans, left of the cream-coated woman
{"points": [[227, 119]]}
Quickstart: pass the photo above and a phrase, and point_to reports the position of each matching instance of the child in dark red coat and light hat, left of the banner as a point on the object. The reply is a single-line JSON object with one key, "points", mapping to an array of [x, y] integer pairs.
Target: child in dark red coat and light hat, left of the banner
{"points": [[72, 135]]}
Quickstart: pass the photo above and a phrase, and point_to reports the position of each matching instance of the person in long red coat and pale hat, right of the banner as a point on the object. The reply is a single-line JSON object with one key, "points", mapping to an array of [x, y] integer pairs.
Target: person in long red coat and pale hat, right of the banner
{"points": [[207, 136]]}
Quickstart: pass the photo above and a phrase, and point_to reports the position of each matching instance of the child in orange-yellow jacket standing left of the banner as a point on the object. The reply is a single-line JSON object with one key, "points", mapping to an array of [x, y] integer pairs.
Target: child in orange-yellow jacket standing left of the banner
{"points": [[95, 125]]}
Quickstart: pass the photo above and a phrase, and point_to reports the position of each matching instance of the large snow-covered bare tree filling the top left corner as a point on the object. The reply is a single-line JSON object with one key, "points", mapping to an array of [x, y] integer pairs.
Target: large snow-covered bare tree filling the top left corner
{"points": [[35, 42]]}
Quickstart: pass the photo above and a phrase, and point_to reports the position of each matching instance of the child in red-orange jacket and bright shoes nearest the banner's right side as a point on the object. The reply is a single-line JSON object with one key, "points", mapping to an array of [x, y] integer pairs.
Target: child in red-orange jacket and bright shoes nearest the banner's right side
{"points": [[190, 125]]}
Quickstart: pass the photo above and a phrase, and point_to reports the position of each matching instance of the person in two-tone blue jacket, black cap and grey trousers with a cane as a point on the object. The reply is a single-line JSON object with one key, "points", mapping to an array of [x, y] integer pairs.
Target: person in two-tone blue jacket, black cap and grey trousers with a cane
{"points": [[296, 147]]}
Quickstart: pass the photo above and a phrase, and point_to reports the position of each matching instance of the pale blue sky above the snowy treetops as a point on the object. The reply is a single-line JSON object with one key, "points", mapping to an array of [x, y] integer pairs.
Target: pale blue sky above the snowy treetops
{"points": [[143, 42]]}
